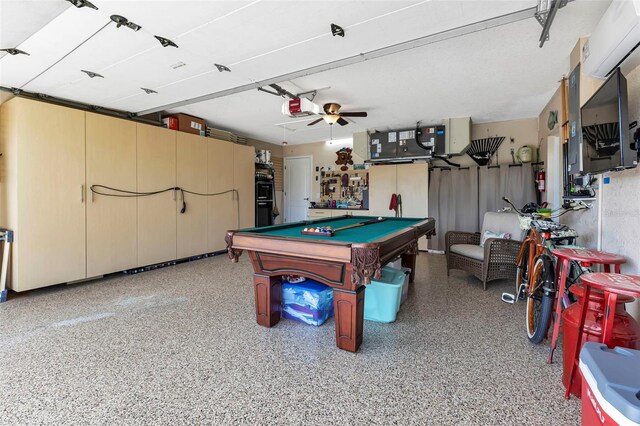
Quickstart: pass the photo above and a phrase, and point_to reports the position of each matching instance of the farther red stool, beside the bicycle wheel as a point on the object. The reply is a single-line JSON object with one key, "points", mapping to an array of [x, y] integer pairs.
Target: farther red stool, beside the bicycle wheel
{"points": [[565, 255]]}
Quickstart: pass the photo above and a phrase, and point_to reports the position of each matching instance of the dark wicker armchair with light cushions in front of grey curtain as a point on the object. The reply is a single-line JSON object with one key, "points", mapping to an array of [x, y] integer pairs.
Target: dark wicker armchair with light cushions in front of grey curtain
{"points": [[497, 259]]}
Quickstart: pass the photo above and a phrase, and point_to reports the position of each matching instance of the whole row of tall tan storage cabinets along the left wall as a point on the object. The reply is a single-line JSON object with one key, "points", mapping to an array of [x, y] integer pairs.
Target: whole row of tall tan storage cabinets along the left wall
{"points": [[51, 155]]}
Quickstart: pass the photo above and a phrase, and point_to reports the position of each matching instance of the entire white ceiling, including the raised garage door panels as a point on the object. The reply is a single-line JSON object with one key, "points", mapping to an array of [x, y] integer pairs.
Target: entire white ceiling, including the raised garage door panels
{"points": [[494, 74]]}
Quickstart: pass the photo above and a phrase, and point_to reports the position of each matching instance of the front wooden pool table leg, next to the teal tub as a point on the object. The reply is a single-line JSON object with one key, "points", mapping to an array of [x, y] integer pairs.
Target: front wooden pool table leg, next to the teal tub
{"points": [[349, 313]]}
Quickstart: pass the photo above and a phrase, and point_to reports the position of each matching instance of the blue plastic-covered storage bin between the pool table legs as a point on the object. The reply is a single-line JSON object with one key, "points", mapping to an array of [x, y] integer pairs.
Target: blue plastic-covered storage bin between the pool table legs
{"points": [[310, 302]]}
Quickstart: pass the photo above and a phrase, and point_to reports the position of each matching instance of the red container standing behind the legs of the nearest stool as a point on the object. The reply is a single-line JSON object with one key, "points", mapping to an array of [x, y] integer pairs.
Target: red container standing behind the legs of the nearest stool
{"points": [[626, 330]]}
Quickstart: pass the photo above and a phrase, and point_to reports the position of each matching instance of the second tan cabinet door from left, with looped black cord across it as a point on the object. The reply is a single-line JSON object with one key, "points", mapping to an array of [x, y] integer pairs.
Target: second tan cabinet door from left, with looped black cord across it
{"points": [[111, 221]]}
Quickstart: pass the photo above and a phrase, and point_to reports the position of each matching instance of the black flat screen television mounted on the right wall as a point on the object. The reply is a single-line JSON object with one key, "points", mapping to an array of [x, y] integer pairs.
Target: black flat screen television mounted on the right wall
{"points": [[604, 121]]}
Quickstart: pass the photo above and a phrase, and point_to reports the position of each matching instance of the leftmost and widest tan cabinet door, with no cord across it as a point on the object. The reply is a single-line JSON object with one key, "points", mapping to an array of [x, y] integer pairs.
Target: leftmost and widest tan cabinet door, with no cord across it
{"points": [[50, 241]]}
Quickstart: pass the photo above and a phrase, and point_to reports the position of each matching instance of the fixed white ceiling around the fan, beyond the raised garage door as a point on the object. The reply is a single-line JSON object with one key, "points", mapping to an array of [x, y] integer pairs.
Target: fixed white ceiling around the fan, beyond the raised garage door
{"points": [[493, 75]]}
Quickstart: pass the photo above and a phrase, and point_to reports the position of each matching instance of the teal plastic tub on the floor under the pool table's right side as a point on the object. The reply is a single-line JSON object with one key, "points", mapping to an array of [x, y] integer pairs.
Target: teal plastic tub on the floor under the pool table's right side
{"points": [[382, 297]]}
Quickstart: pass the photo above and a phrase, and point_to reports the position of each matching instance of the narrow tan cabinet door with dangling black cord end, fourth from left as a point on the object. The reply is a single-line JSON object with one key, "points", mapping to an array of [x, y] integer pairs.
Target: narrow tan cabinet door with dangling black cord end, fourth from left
{"points": [[192, 176]]}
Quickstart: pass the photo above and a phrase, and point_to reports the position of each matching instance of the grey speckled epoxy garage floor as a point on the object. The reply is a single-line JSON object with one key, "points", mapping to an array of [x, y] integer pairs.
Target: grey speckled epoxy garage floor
{"points": [[180, 346]]}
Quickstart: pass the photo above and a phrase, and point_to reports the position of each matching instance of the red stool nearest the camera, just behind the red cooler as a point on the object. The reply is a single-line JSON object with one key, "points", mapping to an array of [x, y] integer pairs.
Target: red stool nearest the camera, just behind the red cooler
{"points": [[611, 285]]}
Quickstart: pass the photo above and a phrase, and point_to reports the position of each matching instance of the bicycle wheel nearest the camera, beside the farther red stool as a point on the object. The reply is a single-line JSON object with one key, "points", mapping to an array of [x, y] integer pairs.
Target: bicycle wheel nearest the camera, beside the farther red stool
{"points": [[540, 300]]}
